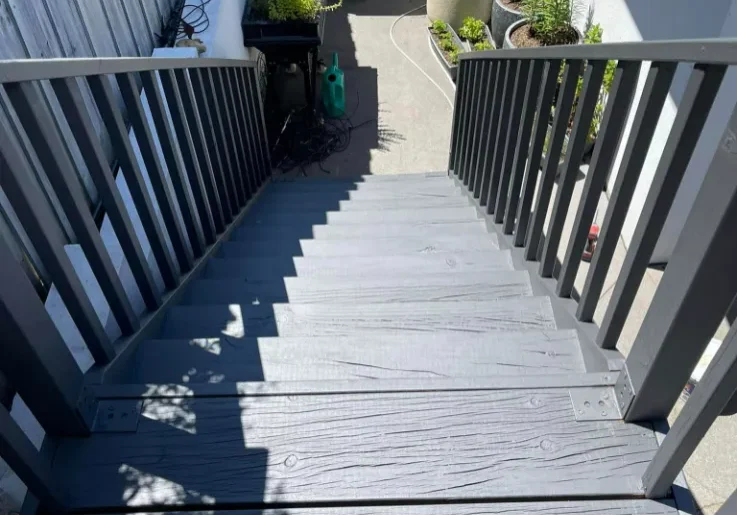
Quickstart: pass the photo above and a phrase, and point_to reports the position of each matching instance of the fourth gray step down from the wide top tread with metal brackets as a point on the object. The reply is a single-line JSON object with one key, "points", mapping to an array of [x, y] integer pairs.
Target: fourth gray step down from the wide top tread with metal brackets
{"points": [[259, 269]]}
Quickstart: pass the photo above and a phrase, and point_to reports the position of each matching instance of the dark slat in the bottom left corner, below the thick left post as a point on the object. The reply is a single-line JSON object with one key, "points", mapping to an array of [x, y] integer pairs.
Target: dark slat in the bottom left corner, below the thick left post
{"points": [[24, 460]]}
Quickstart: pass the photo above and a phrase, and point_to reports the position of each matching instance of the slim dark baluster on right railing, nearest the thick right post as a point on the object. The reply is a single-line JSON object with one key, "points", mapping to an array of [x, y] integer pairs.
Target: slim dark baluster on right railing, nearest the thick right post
{"points": [[695, 105]]}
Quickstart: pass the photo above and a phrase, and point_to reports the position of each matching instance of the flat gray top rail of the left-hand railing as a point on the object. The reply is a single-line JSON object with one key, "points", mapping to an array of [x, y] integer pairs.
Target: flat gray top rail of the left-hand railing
{"points": [[19, 70]]}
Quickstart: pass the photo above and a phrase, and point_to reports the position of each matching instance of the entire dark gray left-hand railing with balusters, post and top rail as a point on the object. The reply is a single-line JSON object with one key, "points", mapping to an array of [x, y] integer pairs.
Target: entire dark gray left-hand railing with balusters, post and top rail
{"points": [[214, 108]]}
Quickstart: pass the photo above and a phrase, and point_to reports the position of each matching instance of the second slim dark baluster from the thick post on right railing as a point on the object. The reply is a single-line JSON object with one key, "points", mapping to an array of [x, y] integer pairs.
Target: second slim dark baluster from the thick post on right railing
{"points": [[645, 120]]}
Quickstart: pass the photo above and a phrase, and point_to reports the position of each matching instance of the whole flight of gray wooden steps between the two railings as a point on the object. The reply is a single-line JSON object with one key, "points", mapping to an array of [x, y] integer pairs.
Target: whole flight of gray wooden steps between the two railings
{"points": [[362, 342]]}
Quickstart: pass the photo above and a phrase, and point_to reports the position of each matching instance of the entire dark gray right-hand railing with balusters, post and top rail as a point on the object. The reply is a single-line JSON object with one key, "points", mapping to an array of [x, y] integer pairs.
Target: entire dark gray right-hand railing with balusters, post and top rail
{"points": [[506, 149]]}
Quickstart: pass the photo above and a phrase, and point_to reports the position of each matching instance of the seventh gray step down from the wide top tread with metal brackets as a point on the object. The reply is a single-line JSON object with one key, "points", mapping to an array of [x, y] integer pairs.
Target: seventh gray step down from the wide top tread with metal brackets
{"points": [[273, 215]]}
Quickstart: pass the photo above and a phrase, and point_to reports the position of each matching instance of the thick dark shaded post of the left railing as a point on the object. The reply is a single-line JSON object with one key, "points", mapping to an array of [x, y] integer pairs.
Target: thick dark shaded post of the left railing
{"points": [[34, 356]]}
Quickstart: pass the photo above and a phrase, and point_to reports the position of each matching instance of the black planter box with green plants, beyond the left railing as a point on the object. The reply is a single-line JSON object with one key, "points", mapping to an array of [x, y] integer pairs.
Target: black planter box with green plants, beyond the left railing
{"points": [[274, 22]]}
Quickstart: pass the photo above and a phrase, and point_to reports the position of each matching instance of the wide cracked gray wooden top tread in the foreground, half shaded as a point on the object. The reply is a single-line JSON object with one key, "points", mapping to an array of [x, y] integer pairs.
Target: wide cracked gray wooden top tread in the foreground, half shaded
{"points": [[358, 448]]}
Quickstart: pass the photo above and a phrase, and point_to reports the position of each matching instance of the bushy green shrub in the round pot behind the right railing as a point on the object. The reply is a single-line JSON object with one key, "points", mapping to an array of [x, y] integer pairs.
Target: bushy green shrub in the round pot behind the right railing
{"points": [[551, 21]]}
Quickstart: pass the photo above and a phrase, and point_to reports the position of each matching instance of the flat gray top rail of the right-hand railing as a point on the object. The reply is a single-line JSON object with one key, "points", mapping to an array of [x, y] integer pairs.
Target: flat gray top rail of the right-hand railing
{"points": [[709, 51]]}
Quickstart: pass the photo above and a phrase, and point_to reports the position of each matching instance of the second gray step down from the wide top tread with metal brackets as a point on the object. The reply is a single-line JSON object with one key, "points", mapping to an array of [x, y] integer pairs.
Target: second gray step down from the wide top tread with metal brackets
{"points": [[239, 320]]}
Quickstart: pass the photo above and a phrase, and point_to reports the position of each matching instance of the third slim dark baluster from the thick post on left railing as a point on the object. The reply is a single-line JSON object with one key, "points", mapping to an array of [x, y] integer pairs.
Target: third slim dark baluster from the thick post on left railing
{"points": [[70, 98]]}
